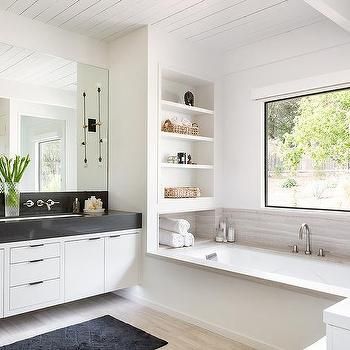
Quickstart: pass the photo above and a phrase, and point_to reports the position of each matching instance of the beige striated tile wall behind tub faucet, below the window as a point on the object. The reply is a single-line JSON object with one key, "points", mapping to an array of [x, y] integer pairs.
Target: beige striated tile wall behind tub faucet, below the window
{"points": [[279, 228]]}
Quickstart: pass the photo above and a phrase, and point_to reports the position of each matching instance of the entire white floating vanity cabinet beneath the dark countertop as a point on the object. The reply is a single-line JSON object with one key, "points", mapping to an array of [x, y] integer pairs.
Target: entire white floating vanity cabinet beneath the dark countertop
{"points": [[42, 273]]}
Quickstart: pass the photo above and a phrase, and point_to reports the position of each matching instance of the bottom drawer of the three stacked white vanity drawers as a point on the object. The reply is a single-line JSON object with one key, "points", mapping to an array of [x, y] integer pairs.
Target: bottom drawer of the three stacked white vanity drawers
{"points": [[34, 294]]}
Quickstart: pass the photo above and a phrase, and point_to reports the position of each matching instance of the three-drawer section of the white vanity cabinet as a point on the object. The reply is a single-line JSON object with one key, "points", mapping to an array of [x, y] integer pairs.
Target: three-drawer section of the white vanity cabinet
{"points": [[33, 277]]}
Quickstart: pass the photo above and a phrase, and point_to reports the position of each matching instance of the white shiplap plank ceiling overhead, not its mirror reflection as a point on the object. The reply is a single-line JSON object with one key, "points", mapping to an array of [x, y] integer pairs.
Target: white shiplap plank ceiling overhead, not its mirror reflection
{"points": [[217, 24]]}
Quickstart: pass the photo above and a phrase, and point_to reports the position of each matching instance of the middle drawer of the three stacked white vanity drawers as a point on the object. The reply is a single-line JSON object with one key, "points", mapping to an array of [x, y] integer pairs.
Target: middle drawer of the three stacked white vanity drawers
{"points": [[34, 271]]}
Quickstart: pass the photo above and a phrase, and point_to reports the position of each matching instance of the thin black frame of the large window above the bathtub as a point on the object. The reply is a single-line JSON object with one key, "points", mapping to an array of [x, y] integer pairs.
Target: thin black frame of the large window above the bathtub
{"points": [[266, 167]]}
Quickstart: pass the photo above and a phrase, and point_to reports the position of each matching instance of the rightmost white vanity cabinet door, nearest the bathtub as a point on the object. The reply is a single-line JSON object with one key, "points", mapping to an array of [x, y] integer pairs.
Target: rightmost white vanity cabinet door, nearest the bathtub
{"points": [[122, 261]]}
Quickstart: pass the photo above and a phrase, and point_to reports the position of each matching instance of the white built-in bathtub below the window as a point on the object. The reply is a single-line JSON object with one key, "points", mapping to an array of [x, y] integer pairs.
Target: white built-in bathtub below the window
{"points": [[307, 272]]}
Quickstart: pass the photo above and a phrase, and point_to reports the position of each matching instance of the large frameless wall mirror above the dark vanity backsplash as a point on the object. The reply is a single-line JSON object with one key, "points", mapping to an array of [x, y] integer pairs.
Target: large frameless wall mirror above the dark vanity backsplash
{"points": [[56, 111]]}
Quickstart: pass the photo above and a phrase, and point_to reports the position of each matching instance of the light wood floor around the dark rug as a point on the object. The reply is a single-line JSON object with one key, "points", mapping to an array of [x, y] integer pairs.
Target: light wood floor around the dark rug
{"points": [[179, 334]]}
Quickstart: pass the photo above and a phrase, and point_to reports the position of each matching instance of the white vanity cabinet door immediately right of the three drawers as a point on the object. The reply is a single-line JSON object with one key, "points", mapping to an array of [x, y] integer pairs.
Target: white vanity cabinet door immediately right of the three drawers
{"points": [[84, 268]]}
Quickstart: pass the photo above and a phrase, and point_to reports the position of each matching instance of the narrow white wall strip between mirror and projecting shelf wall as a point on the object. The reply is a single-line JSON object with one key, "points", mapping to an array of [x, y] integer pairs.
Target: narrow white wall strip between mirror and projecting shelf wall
{"points": [[128, 122]]}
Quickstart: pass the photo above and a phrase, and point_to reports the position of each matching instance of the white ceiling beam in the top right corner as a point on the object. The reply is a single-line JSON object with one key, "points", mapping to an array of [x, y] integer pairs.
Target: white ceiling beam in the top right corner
{"points": [[337, 11]]}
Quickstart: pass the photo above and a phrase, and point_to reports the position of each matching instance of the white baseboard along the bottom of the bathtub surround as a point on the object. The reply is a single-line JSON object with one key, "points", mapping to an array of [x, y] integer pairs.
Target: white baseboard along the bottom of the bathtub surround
{"points": [[258, 345]]}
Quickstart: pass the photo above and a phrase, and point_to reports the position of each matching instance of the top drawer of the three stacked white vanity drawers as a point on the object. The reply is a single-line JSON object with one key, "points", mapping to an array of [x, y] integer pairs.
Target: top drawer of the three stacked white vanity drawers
{"points": [[35, 252]]}
